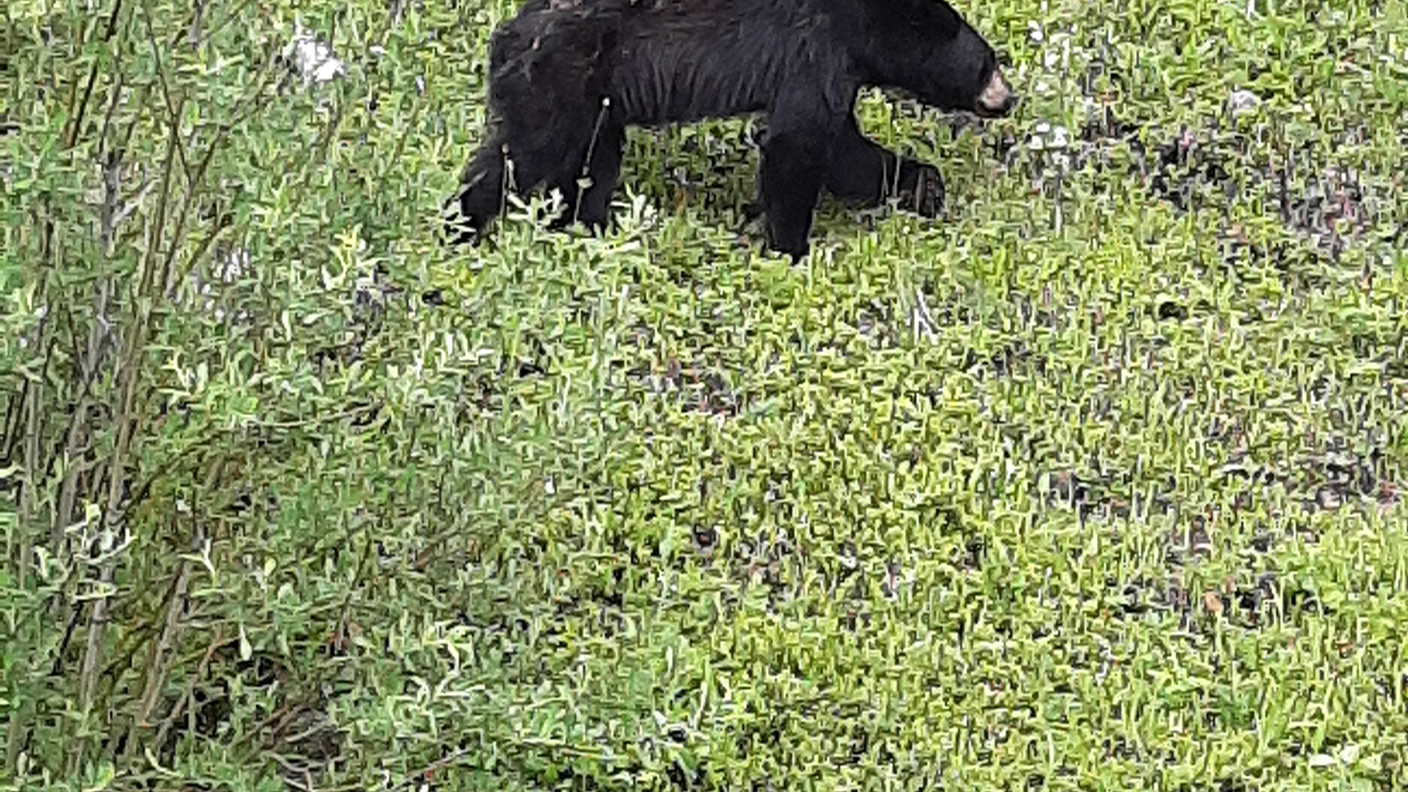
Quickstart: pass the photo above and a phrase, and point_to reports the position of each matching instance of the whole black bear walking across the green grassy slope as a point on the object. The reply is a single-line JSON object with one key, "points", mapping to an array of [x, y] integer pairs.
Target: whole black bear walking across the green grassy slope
{"points": [[568, 77]]}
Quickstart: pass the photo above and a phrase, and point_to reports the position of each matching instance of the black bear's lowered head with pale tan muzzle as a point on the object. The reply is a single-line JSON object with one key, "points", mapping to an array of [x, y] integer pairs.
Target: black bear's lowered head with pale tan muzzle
{"points": [[927, 50]]}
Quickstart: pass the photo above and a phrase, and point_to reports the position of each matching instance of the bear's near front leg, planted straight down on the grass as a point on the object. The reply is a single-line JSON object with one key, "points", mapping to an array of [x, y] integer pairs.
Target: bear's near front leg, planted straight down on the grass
{"points": [[799, 140]]}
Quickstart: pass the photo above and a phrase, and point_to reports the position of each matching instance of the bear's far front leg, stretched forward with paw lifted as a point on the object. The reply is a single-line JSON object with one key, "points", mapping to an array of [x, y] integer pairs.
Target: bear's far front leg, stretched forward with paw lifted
{"points": [[867, 174]]}
